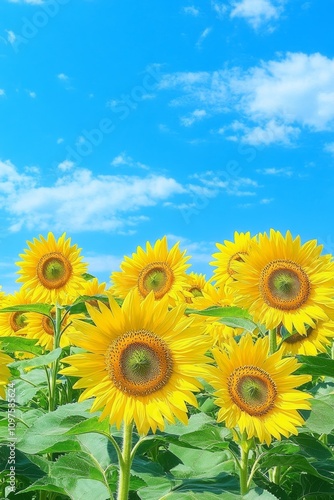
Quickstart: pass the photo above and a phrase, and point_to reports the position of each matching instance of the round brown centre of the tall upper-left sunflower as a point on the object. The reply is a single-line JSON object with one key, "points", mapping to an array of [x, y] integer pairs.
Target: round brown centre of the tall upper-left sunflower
{"points": [[54, 270]]}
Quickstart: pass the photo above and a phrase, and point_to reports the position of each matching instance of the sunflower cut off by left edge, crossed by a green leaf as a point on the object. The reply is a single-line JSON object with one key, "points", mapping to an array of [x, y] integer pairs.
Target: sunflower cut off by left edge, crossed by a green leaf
{"points": [[13, 323]]}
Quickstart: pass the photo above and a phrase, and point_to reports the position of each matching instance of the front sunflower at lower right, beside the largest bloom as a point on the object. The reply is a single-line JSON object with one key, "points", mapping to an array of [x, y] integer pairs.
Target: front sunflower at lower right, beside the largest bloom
{"points": [[256, 392]]}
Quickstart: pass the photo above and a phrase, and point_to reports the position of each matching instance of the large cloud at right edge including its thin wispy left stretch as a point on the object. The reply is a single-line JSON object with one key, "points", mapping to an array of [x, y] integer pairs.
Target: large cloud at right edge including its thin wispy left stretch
{"points": [[275, 100]]}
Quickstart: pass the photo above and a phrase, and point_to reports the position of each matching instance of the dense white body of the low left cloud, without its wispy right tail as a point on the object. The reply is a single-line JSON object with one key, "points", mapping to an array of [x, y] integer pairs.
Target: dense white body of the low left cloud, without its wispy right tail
{"points": [[81, 201]]}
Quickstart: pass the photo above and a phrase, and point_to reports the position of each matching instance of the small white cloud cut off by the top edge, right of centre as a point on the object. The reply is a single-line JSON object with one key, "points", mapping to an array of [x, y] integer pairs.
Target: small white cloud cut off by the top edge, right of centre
{"points": [[256, 12]]}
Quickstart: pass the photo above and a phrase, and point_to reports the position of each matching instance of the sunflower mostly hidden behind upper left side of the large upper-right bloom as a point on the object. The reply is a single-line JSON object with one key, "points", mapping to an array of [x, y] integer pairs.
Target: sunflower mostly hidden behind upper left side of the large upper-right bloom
{"points": [[229, 253]]}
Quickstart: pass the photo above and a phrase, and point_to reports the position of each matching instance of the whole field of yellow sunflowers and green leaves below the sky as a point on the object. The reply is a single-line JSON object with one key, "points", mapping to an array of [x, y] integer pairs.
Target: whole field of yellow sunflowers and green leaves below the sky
{"points": [[168, 385]]}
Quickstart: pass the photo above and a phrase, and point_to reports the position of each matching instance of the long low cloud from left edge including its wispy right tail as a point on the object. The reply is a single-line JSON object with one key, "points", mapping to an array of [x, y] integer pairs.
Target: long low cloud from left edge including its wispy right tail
{"points": [[82, 201]]}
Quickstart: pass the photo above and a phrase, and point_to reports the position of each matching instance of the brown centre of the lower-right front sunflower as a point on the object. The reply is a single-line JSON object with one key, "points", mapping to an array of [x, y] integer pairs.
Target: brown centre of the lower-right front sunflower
{"points": [[252, 390]]}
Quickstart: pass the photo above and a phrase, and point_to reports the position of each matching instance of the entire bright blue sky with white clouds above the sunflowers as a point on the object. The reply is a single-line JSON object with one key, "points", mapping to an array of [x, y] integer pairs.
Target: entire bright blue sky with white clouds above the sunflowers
{"points": [[125, 121]]}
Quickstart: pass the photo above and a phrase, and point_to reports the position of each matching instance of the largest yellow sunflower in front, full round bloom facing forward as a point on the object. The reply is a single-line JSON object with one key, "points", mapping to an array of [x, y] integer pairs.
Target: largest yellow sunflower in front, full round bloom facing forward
{"points": [[142, 363]]}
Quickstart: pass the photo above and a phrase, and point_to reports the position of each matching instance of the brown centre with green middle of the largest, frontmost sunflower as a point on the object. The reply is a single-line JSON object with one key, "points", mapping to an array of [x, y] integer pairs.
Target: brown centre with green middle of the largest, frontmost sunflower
{"points": [[139, 363]]}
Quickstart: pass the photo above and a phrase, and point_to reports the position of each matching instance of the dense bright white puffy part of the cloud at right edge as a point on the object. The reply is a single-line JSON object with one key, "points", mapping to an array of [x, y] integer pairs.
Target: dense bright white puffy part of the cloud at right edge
{"points": [[297, 88]]}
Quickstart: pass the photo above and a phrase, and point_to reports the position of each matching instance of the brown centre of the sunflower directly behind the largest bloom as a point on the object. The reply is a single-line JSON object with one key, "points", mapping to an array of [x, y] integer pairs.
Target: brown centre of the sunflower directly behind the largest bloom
{"points": [[157, 276]]}
